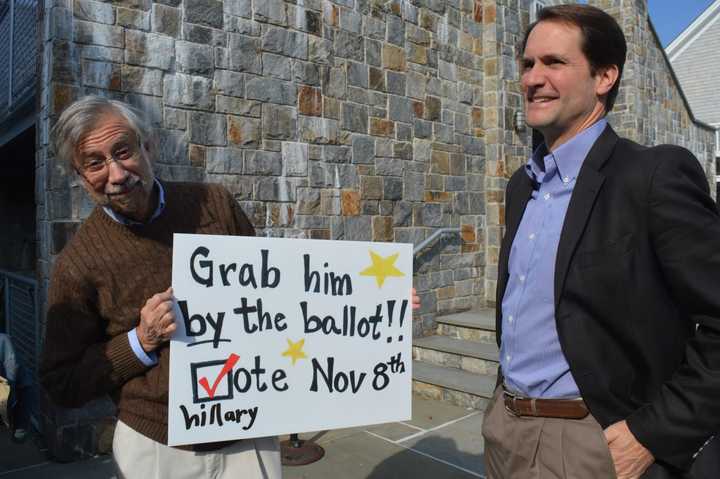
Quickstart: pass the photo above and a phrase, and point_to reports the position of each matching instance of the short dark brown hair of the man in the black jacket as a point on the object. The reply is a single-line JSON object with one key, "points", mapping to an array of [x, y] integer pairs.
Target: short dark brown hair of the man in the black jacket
{"points": [[603, 42]]}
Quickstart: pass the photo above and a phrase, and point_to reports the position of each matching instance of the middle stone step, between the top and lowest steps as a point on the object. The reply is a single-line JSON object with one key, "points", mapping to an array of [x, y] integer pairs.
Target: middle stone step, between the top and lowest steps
{"points": [[472, 356]]}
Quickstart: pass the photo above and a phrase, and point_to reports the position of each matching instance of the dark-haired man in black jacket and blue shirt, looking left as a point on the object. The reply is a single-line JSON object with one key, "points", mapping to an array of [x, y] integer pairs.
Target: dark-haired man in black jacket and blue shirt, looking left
{"points": [[608, 296]]}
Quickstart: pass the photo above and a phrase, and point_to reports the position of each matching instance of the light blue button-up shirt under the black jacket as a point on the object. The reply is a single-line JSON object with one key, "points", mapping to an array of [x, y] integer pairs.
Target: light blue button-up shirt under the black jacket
{"points": [[530, 354]]}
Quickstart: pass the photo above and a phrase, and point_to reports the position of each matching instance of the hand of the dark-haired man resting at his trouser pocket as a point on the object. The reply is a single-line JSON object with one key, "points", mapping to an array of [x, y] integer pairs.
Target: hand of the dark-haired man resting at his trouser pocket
{"points": [[631, 459]]}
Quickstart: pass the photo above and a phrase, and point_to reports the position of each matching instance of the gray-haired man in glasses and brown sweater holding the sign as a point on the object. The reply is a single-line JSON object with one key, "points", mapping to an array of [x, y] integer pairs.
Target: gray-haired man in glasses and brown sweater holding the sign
{"points": [[110, 308]]}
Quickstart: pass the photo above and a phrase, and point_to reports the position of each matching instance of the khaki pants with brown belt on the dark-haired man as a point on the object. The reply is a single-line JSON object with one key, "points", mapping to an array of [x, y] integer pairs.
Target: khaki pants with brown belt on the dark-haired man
{"points": [[543, 448]]}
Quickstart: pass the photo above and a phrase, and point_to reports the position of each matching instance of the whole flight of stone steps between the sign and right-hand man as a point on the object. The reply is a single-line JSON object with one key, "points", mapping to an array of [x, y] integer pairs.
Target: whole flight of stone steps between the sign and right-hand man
{"points": [[458, 364]]}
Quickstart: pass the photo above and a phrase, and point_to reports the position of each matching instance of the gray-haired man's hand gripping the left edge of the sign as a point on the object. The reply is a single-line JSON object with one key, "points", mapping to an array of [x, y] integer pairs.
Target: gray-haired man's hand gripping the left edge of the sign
{"points": [[157, 321]]}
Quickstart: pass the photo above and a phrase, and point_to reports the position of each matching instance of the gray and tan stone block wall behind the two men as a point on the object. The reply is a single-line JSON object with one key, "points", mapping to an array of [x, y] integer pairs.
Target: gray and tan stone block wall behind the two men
{"points": [[352, 119]]}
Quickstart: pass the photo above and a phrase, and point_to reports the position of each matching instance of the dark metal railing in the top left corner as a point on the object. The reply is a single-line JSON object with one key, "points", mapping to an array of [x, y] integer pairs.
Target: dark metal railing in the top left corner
{"points": [[18, 52]]}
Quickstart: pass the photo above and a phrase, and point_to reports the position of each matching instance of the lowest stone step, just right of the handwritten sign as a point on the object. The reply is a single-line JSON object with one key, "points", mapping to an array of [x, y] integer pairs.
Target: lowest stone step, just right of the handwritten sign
{"points": [[452, 385]]}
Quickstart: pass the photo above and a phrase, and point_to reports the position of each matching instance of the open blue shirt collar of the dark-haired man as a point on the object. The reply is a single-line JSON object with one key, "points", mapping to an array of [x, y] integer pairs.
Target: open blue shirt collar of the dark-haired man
{"points": [[567, 159]]}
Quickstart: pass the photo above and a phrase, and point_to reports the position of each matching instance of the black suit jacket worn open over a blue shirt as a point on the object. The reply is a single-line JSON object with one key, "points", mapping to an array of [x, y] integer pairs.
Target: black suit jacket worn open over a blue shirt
{"points": [[637, 292]]}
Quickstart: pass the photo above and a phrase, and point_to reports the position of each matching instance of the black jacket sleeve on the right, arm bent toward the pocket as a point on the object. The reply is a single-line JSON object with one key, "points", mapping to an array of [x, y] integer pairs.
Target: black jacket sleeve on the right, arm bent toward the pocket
{"points": [[685, 232]]}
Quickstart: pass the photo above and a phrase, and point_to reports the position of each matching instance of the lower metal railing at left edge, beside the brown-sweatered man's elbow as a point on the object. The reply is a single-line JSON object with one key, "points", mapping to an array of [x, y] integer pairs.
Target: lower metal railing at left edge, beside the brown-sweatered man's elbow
{"points": [[19, 296]]}
